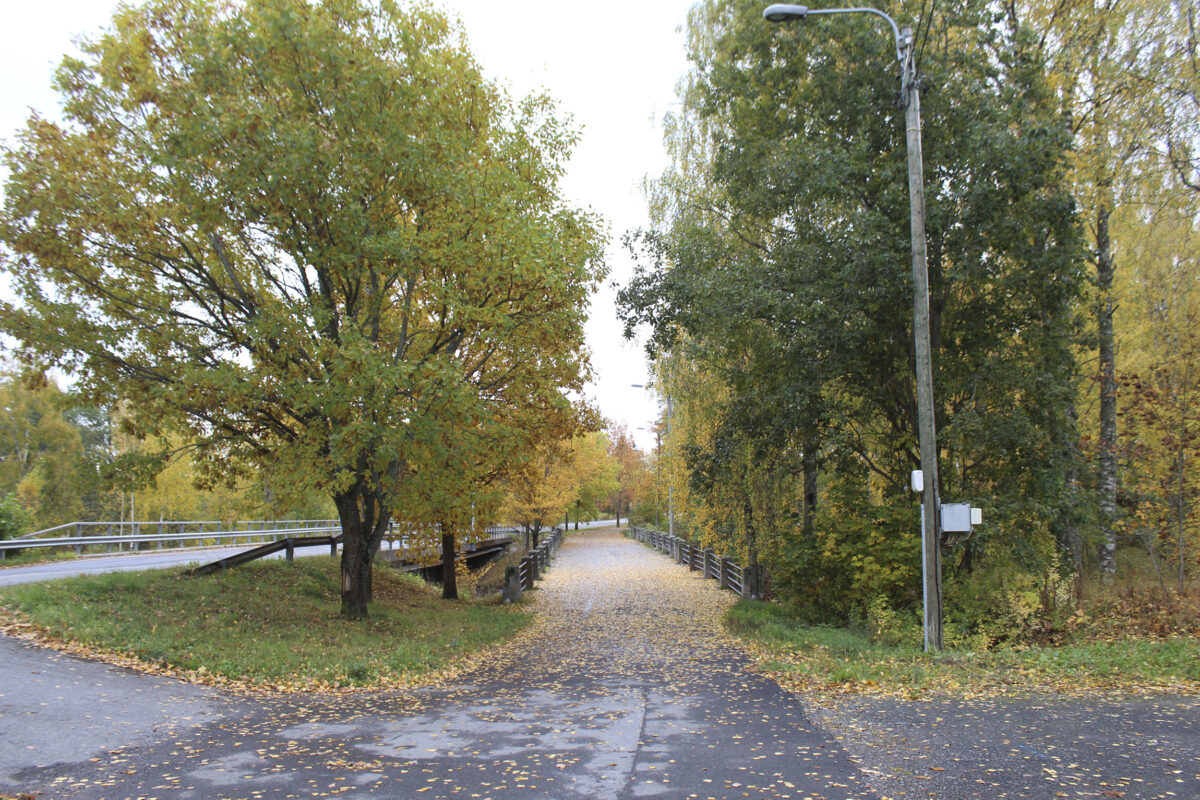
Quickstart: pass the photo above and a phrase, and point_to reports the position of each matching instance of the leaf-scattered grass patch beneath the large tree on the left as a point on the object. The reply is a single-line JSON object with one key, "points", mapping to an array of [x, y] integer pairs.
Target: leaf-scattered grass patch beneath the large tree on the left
{"points": [[268, 625]]}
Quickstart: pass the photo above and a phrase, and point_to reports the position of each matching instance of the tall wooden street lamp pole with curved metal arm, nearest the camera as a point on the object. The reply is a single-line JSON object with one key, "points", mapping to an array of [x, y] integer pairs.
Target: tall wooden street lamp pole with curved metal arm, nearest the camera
{"points": [[931, 537]]}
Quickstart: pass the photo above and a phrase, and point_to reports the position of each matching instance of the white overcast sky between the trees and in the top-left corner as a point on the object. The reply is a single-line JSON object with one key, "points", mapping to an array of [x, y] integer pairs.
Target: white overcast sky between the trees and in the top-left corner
{"points": [[613, 67]]}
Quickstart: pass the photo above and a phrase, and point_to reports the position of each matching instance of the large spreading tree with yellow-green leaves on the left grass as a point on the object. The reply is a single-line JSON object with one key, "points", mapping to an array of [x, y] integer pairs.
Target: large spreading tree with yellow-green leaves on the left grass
{"points": [[301, 234]]}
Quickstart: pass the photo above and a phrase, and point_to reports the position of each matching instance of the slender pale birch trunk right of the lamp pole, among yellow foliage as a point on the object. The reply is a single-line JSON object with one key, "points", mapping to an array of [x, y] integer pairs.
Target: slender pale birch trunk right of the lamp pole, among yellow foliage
{"points": [[1108, 456]]}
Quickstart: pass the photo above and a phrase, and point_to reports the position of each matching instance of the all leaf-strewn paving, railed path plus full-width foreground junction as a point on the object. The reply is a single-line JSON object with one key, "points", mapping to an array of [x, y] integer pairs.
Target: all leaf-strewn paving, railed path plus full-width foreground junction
{"points": [[625, 689]]}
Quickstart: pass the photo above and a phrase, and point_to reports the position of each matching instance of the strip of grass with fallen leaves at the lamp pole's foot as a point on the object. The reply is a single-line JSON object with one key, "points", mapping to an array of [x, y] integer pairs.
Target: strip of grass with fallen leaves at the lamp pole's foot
{"points": [[844, 661]]}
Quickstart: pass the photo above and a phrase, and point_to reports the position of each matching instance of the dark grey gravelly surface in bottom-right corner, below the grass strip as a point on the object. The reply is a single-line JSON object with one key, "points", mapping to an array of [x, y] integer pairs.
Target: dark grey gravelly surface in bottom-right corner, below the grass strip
{"points": [[1035, 748]]}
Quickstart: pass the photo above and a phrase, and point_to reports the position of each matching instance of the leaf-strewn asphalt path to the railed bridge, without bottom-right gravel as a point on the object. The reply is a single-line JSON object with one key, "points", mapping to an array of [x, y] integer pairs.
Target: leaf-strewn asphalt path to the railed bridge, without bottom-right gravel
{"points": [[625, 689]]}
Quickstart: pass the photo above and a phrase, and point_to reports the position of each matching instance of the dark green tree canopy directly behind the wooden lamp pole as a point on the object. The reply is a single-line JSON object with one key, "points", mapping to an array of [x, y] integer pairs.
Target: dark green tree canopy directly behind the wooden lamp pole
{"points": [[778, 274]]}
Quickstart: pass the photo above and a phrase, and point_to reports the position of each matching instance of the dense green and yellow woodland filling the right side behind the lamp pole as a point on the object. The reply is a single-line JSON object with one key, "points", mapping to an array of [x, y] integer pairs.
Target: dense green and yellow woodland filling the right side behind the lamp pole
{"points": [[1063, 212]]}
